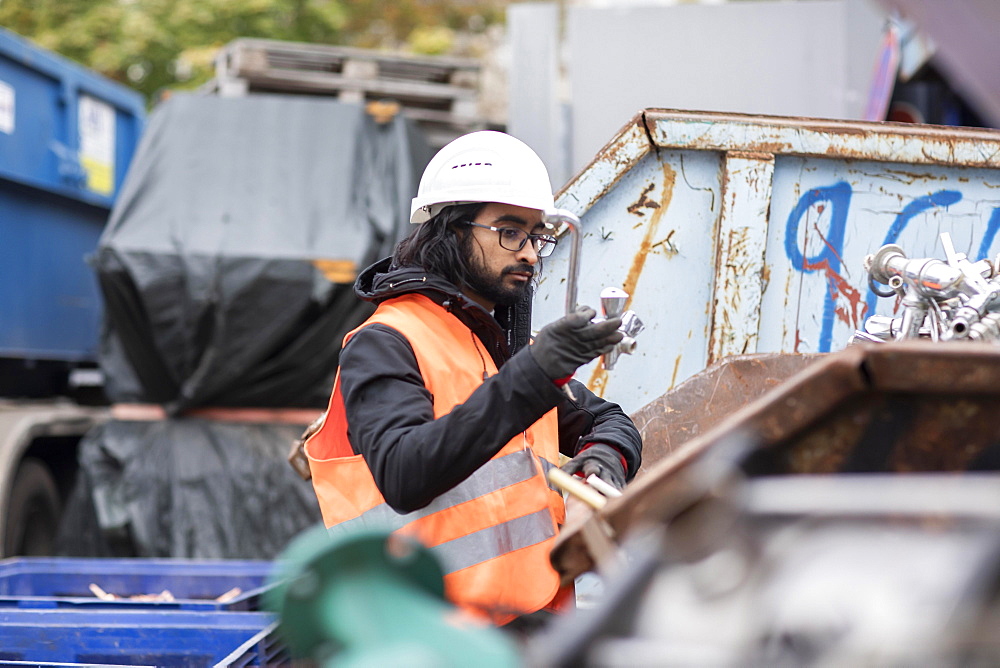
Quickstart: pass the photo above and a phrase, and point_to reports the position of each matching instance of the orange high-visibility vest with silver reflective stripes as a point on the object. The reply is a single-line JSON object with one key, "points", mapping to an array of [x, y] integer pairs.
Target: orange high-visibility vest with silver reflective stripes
{"points": [[494, 531]]}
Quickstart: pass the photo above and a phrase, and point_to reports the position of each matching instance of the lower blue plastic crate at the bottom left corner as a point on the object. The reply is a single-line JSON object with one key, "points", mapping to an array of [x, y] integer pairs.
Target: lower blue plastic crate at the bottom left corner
{"points": [[173, 638]]}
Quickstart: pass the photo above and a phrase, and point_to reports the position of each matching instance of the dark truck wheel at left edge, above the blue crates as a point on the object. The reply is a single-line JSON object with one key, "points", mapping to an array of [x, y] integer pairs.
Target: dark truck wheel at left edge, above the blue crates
{"points": [[32, 511]]}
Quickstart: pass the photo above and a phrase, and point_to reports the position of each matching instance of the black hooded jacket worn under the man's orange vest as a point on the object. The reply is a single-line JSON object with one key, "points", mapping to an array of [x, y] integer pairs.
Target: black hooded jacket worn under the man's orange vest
{"points": [[415, 458]]}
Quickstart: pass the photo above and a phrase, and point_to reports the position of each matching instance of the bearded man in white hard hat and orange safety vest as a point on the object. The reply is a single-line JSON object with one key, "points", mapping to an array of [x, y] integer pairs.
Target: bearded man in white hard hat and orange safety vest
{"points": [[443, 421]]}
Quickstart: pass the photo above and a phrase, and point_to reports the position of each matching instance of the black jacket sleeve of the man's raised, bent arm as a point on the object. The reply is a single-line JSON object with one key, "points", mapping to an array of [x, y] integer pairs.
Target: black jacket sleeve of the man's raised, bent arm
{"points": [[390, 413]]}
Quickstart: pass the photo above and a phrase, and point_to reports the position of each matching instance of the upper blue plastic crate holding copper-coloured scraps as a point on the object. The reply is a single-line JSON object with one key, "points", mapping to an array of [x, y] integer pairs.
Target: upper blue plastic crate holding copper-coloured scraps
{"points": [[42, 582]]}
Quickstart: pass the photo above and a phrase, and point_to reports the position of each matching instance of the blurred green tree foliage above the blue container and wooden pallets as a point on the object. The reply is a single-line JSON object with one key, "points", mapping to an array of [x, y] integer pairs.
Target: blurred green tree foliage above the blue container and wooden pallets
{"points": [[153, 45]]}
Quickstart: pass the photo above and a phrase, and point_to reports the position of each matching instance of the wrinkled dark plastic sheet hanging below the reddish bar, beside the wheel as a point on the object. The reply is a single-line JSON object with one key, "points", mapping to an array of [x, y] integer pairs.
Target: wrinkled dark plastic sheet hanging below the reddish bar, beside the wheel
{"points": [[187, 488]]}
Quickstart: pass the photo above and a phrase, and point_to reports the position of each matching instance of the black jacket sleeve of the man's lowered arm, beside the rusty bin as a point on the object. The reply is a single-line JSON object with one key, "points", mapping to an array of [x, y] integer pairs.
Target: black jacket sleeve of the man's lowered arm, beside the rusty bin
{"points": [[591, 419]]}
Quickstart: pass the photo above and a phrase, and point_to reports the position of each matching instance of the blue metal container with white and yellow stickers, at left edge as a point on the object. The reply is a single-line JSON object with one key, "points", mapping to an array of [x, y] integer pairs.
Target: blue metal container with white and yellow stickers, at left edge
{"points": [[67, 136]]}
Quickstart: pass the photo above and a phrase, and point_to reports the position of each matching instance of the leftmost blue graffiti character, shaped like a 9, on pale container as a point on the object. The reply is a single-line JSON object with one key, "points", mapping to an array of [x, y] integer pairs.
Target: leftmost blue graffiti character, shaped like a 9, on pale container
{"points": [[828, 259]]}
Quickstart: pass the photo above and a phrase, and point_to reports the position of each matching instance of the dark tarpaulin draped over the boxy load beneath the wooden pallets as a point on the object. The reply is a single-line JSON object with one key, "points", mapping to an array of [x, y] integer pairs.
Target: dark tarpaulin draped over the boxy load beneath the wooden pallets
{"points": [[217, 262]]}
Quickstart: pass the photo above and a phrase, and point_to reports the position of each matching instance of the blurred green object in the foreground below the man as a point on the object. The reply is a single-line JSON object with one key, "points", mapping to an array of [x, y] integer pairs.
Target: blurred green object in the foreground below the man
{"points": [[374, 599]]}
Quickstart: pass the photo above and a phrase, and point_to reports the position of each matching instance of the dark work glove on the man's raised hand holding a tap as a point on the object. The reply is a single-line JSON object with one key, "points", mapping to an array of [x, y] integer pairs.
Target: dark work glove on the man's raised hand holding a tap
{"points": [[572, 341]]}
